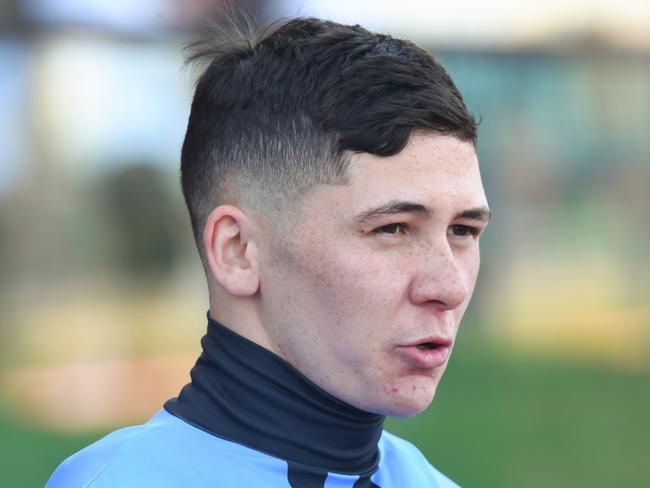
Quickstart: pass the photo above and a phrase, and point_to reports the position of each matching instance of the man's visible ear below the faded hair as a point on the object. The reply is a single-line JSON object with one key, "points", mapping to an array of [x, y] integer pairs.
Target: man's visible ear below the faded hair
{"points": [[231, 251]]}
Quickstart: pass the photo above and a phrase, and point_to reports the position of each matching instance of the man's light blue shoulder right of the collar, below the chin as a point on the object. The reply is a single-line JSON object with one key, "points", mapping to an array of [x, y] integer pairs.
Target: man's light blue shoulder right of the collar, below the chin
{"points": [[400, 460]]}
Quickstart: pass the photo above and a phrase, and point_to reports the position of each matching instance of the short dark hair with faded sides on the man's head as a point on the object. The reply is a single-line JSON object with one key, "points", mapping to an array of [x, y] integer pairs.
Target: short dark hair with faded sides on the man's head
{"points": [[277, 113]]}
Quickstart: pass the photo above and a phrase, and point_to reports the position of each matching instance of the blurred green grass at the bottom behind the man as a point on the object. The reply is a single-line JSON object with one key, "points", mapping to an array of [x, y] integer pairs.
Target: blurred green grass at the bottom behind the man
{"points": [[498, 420]]}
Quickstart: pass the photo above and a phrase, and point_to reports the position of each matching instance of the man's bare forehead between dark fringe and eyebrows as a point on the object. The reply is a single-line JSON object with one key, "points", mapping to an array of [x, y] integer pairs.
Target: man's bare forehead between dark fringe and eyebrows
{"points": [[435, 170]]}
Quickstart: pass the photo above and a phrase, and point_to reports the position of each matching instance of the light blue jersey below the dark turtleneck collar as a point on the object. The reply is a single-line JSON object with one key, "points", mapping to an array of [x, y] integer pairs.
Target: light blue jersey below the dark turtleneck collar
{"points": [[168, 452]]}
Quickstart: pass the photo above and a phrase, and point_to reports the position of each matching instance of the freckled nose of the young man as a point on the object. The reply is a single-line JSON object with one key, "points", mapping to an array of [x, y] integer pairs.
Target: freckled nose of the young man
{"points": [[441, 281]]}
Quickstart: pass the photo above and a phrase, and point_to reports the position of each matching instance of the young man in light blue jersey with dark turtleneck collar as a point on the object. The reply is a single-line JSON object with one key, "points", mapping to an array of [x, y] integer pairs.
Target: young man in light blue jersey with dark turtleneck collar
{"points": [[333, 185]]}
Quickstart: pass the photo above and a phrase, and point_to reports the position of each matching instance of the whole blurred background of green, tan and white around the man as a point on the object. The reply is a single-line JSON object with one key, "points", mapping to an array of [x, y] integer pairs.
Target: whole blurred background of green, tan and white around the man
{"points": [[102, 297]]}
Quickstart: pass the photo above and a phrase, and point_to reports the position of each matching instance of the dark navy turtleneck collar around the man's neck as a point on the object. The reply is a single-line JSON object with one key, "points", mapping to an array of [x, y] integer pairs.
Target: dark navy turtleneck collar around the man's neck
{"points": [[245, 393]]}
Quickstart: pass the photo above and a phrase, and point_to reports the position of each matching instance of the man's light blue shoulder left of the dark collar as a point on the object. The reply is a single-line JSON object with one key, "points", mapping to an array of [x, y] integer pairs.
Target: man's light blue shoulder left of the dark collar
{"points": [[165, 451]]}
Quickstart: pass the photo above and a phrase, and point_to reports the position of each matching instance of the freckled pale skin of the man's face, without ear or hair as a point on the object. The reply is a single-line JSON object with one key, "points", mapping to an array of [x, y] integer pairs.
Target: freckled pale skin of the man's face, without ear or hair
{"points": [[375, 267]]}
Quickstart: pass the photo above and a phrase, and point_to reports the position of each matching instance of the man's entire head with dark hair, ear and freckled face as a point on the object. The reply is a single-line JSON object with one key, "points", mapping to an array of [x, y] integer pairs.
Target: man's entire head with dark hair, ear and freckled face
{"points": [[333, 187]]}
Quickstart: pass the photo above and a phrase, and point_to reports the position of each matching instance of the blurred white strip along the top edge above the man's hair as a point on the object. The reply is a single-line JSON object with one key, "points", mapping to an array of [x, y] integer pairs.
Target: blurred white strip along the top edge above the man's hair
{"points": [[500, 22]]}
